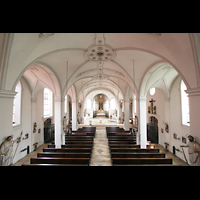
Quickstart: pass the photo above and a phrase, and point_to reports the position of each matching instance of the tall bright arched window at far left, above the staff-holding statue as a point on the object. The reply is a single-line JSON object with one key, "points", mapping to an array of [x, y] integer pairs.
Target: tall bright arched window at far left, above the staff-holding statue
{"points": [[17, 105]]}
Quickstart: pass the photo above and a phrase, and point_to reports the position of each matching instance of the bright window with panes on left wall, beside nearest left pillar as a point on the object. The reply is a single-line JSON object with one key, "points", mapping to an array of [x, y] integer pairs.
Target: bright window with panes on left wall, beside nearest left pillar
{"points": [[48, 102]]}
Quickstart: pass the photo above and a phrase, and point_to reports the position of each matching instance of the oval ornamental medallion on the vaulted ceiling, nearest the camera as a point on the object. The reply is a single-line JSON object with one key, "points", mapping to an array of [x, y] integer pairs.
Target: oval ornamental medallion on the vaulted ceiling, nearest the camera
{"points": [[100, 53]]}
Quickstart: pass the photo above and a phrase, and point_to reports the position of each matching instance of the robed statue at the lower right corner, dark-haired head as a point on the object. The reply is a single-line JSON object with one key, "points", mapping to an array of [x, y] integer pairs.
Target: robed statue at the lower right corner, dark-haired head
{"points": [[193, 151]]}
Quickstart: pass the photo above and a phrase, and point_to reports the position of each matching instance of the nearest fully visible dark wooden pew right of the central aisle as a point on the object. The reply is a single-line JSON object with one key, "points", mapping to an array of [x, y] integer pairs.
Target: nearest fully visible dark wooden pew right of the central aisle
{"points": [[141, 161]]}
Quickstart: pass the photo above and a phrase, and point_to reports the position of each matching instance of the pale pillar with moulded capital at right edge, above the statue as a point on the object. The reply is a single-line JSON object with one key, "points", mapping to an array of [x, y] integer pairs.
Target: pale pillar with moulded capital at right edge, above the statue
{"points": [[194, 100]]}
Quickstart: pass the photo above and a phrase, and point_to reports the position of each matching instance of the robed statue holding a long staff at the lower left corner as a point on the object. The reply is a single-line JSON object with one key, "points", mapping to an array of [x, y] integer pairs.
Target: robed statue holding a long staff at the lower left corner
{"points": [[6, 150]]}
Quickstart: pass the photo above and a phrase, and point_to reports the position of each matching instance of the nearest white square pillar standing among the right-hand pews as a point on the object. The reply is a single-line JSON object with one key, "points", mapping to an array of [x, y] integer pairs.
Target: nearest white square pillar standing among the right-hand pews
{"points": [[143, 122]]}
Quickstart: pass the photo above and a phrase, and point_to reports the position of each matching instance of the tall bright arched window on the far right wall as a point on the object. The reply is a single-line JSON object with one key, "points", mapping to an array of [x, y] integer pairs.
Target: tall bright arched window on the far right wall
{"points": [[185, 105]]}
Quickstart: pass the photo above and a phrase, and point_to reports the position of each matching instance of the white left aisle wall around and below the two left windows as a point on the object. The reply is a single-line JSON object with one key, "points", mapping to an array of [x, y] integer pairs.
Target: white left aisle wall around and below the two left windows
{"points": [[31, 112]]}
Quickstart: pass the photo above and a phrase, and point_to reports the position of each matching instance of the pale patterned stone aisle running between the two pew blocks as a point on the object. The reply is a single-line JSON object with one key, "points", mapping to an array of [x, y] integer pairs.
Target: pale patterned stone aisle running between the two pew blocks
{"points": [[100, 152]]}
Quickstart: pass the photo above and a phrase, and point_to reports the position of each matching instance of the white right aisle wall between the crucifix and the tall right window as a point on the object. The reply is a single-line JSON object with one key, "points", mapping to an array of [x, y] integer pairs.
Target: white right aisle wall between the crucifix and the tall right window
{"points": [[170, 114]]}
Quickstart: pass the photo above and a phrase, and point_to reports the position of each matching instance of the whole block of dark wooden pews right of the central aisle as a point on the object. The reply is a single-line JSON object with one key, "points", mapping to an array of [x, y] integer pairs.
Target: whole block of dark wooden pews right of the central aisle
{"points": [[125, 151]]}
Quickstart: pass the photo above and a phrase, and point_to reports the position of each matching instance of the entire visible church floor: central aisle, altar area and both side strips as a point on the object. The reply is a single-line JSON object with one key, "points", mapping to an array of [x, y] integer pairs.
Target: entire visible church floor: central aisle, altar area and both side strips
{"points": [[100, 153]]}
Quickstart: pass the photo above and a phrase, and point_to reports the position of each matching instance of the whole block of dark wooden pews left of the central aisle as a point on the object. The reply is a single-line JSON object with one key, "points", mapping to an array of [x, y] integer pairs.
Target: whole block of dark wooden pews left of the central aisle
{"points": [[76, 151]]}
